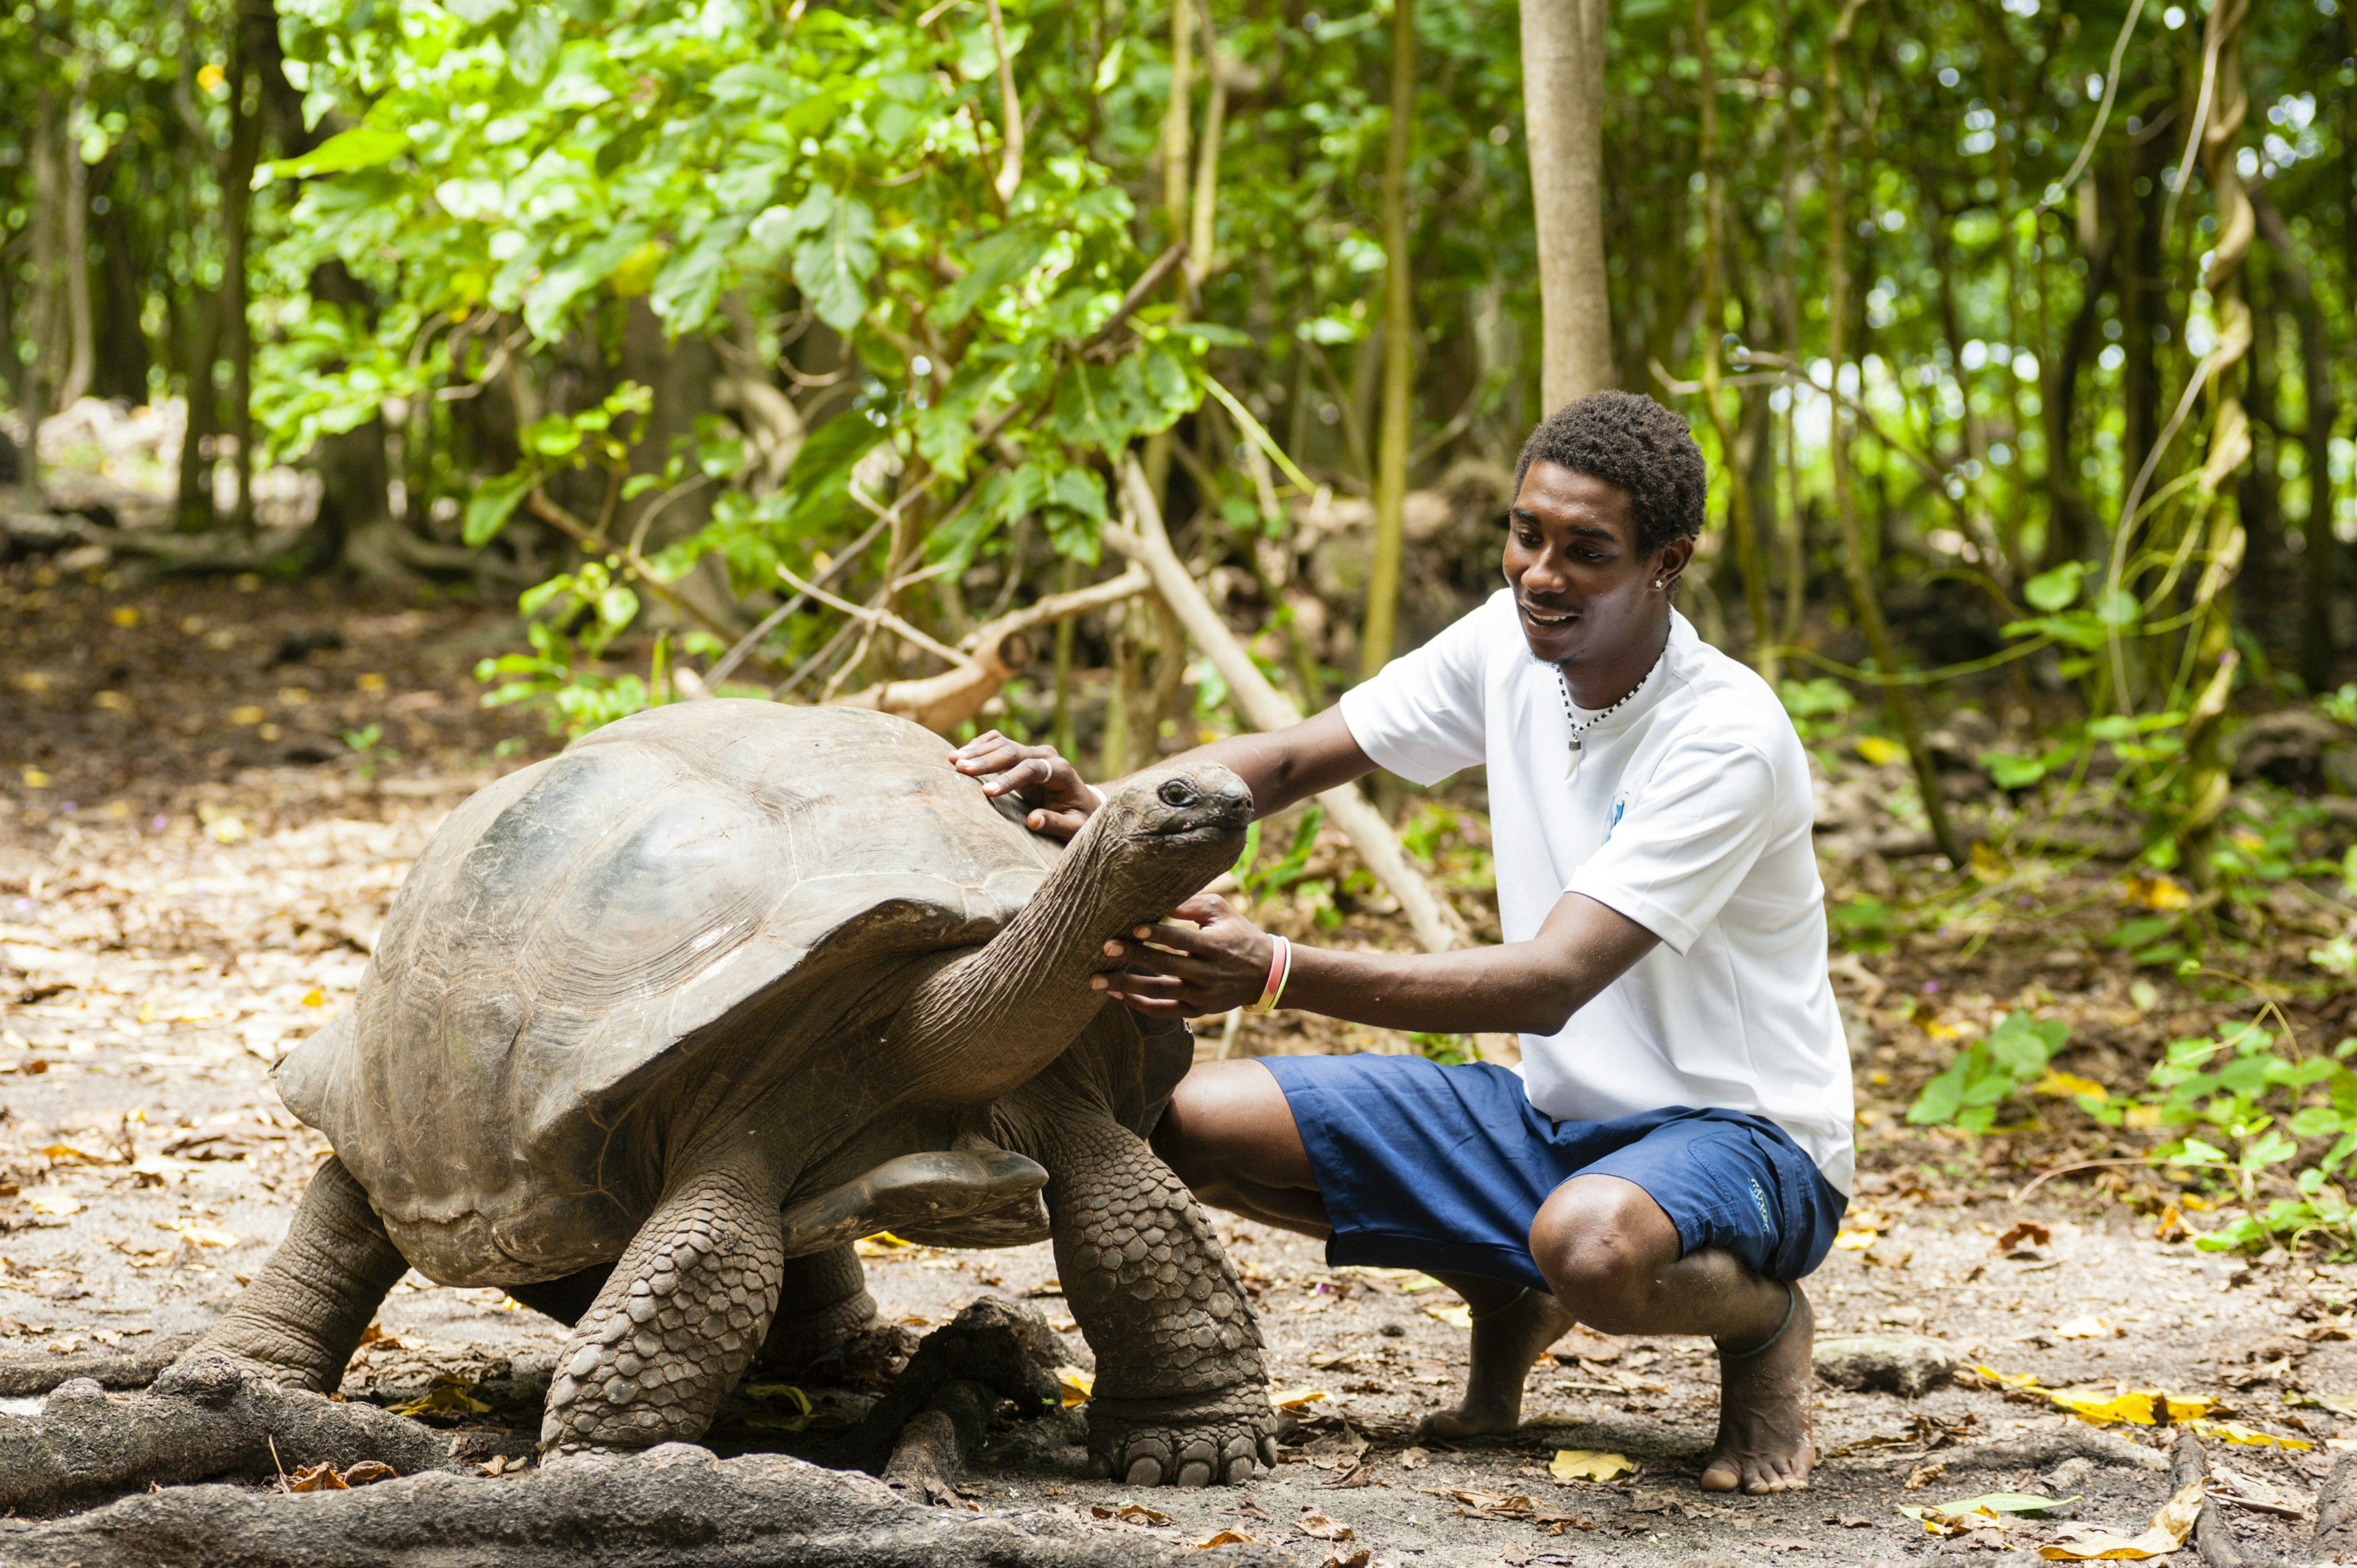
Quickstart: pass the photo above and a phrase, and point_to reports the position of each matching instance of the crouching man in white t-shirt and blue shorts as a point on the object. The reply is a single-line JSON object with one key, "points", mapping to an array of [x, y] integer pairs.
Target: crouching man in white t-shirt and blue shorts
{"points": [[1677, 1149]]}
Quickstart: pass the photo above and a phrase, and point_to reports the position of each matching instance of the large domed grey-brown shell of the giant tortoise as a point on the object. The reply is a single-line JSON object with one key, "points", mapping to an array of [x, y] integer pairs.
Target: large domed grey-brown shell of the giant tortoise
{"points": [[680, 911]]}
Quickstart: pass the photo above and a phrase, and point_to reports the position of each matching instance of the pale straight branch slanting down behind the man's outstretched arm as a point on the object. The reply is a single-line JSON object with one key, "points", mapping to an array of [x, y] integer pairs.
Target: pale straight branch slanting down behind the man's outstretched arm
{"points": [[1147, 543]]}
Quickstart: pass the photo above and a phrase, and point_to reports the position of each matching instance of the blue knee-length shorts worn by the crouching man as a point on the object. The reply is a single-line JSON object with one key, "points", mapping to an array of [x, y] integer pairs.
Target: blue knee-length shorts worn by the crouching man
{"points": [[1444, 1171]]}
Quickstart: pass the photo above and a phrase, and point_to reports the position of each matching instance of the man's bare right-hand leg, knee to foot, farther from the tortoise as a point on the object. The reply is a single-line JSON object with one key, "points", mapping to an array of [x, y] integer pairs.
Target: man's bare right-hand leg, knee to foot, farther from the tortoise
{"points": [[1613, 1260]]}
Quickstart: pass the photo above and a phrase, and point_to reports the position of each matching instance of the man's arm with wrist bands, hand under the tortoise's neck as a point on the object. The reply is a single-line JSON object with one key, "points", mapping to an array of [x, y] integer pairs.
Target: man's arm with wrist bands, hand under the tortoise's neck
{"points": [[1524, 987]]}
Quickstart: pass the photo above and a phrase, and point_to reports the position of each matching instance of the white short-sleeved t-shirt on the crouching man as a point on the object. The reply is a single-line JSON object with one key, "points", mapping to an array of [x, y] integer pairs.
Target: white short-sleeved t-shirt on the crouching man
{"points": [[1691, 815]]}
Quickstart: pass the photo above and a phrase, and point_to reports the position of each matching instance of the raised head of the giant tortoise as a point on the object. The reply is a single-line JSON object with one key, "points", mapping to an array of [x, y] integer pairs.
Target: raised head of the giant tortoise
{"points": [[1163, 836]]}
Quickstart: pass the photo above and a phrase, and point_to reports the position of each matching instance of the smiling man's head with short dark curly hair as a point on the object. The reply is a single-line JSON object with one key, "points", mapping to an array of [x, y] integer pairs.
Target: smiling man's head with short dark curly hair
{"points": [[1609, 503]]}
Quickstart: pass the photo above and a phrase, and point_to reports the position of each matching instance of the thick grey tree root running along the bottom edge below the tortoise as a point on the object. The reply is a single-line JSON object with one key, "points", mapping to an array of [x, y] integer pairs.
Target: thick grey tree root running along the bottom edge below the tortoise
{"points": [[673, 1508]]}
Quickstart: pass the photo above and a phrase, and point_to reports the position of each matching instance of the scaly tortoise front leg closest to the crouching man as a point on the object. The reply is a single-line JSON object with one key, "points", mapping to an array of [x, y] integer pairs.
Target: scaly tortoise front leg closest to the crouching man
{"points": [[1180, 1385]]}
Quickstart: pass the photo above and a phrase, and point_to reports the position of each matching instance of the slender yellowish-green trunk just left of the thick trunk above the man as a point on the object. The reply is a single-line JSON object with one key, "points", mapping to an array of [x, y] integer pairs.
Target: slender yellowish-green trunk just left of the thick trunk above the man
{"points": [[1399, 355]]}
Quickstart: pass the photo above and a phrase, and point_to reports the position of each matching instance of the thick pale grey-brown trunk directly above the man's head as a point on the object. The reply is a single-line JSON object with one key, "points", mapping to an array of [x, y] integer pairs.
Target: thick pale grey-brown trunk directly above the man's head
{"points": [[1564, 105]]}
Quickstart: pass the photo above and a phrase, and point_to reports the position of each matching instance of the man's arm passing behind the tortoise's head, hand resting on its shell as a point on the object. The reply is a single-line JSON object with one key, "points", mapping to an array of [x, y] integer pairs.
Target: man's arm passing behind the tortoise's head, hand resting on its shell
{"points": [[1281, 767]]}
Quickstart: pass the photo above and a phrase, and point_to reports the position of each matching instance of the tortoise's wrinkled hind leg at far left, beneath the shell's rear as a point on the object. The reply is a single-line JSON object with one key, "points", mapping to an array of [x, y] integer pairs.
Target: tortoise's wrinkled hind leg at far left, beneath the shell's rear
{"points": [[308, 1310]]}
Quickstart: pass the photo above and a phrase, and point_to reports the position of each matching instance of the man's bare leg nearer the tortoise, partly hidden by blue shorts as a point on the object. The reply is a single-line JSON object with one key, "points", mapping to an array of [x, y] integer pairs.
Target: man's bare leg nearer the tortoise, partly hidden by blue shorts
{"points": [[1232, 1138]]}
